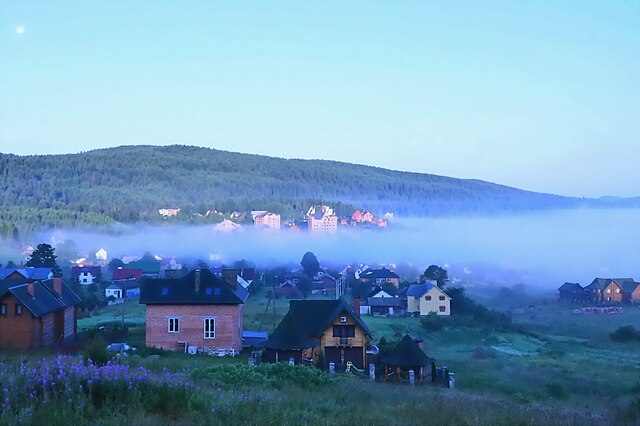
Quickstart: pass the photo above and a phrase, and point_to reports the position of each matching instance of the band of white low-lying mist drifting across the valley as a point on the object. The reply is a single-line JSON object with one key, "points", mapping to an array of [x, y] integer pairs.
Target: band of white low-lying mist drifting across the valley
{"points": [[542, 249]]}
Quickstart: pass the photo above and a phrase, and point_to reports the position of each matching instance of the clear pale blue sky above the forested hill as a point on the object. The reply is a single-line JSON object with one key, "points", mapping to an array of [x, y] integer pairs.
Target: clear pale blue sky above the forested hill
{"points": [[540, 95]]}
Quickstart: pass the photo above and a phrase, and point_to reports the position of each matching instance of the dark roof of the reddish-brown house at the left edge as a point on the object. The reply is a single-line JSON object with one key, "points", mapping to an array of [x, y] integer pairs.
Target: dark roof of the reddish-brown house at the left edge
{"points": [[44, 299]]}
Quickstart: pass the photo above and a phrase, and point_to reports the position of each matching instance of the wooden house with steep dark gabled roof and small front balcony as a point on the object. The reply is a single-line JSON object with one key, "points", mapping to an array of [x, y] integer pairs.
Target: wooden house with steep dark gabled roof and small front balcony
{"points": [[314, 327]]}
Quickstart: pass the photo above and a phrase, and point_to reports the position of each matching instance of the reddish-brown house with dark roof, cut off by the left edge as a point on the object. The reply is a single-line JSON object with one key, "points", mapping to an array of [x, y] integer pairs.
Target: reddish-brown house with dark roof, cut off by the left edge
{"points": [[34, 313]]}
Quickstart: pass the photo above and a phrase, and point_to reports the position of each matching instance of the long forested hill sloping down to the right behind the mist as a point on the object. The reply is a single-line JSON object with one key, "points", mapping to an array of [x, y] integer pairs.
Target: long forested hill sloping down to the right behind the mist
{"points": [[130, 183]]}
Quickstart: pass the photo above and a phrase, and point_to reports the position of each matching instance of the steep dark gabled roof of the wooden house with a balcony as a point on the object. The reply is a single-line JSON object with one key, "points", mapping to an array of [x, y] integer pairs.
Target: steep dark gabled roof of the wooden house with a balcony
{"points": [[308, 319]]}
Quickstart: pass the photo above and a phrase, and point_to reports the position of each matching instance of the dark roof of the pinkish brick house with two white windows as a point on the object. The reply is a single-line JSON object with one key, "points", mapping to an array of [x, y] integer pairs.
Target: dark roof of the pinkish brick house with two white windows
{"points": [[182, 291]]}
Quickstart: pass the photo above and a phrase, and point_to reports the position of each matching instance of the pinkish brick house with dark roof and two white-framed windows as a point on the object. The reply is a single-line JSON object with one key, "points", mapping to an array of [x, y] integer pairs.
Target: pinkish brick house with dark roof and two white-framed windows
{"points": [[198, 309]]}
